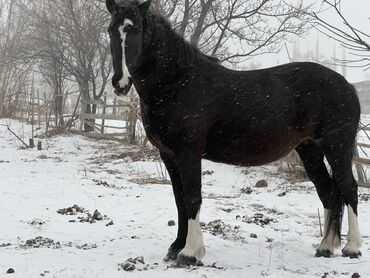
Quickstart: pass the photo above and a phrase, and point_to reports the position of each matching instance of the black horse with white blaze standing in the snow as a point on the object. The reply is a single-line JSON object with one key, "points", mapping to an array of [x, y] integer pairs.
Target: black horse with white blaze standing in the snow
{"points": [[194, 108]]}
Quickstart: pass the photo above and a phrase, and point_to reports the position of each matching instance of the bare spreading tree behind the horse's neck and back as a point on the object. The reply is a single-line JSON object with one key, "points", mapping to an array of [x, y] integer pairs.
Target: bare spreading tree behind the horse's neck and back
{"points": [[234, 30]]}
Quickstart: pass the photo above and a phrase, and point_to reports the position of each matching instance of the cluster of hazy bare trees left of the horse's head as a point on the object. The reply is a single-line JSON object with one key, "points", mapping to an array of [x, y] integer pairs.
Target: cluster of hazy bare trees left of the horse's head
{"points": [[65, 40]]}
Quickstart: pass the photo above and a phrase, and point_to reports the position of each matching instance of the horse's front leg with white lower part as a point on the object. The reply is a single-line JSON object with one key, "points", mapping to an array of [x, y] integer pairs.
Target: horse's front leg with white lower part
{"points": [[188, 162]]}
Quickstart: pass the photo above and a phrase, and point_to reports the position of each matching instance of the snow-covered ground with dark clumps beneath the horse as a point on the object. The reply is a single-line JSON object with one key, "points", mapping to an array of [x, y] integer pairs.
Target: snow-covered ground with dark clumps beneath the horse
{"points": [[248, 231]]}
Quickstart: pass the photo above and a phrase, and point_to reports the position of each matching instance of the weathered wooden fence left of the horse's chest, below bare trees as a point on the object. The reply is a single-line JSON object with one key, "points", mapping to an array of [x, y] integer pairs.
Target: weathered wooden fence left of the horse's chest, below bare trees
{"points": [[119, 118]]}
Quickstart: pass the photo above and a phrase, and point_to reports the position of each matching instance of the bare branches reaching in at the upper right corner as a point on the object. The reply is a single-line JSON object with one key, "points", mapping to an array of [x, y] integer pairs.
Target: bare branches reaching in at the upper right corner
{"points": [[356, 41]]}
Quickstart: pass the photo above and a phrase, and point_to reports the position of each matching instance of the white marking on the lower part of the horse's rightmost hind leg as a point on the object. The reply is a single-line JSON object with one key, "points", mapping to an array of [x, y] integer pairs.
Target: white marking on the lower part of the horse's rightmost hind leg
{"points": [[354, 239]]}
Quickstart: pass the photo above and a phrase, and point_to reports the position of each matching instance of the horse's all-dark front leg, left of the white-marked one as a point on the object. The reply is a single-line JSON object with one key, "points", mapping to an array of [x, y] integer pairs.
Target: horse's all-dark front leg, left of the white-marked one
{"points": [[178, 192]]}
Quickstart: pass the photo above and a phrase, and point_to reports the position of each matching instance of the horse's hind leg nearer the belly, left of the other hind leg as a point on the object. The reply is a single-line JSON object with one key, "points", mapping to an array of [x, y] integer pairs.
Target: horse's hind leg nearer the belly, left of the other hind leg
{"points": [[329, 194]]}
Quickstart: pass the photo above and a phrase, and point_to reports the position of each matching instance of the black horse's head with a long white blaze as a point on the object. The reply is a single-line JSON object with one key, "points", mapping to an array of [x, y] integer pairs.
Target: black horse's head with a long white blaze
{"points": [[126, 37]]}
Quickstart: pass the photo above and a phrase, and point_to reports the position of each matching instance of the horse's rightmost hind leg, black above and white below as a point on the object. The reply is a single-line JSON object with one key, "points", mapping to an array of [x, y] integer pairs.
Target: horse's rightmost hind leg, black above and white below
{"points": [[340, 161]]}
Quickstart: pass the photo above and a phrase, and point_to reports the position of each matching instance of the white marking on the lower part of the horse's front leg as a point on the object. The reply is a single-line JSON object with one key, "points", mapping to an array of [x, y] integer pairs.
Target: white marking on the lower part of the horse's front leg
{"points": [[194, 246]]}
